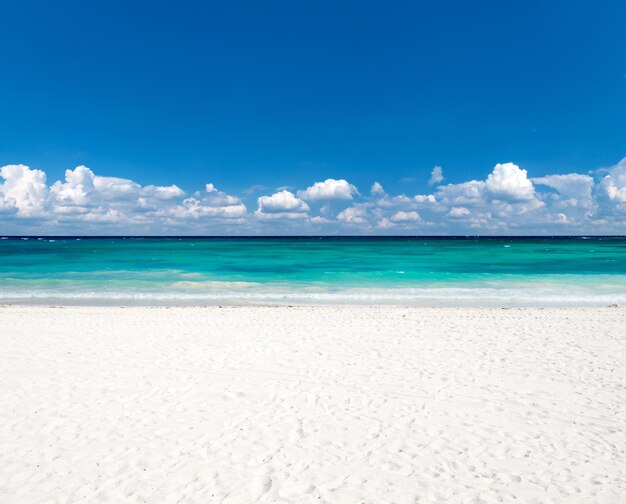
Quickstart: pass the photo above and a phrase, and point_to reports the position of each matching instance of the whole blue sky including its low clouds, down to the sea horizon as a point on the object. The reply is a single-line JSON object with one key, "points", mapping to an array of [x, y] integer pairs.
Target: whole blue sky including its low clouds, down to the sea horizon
{"points": [[258, 98]]}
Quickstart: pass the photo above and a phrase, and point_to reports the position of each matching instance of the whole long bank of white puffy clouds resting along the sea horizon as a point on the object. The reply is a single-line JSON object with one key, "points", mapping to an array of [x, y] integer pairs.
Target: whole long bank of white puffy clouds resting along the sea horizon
{"points": [[507, 201]]}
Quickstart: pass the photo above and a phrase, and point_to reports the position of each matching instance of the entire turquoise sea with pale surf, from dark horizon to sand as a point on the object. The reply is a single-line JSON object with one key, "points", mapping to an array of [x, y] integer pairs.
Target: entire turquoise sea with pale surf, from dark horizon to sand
{"points": [[406, 271]]}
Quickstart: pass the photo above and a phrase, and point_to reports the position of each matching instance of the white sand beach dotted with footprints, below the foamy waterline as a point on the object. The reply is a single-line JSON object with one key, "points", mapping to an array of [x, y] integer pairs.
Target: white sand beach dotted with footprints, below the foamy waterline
{"points": [[312, 404]]}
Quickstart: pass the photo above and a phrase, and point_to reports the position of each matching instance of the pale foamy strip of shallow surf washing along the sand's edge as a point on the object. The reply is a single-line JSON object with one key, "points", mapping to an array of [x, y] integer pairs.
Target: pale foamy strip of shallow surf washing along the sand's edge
{"points": [[242, 293]]}
